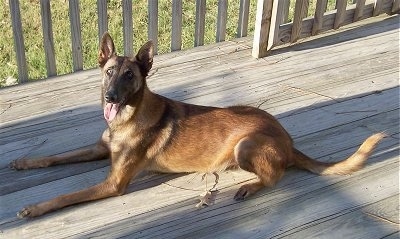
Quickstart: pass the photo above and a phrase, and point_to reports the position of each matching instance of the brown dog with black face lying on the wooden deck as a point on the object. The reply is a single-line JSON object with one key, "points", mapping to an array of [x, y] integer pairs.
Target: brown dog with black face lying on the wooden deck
{"points": [[147, 131]]}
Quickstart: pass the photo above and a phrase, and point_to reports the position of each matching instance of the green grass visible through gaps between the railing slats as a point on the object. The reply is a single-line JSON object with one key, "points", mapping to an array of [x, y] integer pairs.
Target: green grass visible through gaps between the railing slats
{"points": [[33, 38]]}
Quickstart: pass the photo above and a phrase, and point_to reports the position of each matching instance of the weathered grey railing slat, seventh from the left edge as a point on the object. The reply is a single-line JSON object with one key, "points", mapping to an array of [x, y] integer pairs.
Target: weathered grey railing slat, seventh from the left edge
{"points": [[176, 33]]}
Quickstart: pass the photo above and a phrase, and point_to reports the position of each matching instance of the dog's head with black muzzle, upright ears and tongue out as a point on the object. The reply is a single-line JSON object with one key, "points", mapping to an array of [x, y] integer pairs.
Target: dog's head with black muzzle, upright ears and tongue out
{"points": [[124, 78]]}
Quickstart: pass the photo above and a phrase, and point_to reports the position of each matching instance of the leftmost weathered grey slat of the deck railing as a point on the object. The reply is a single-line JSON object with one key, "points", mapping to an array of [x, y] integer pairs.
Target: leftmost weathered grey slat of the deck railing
{"points": [[19, 46]]}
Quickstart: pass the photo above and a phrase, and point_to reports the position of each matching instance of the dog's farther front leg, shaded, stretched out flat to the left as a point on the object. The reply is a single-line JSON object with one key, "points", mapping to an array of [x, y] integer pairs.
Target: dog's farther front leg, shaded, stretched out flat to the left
{"points": [[97, 152]]}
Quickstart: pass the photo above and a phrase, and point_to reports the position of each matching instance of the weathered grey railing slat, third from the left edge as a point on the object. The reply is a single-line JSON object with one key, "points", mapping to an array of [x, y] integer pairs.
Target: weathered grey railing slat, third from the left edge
{"points": [[76, 38]]}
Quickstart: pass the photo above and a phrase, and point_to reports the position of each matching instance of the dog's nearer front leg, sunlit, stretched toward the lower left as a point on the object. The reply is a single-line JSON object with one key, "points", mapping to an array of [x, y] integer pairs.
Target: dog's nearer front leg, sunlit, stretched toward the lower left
{"points": [[122, 171]]}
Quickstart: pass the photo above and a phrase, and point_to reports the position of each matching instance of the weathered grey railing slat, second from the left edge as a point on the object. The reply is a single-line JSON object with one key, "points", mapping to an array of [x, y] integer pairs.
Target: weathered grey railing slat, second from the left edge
{"points": [[48, 40]]}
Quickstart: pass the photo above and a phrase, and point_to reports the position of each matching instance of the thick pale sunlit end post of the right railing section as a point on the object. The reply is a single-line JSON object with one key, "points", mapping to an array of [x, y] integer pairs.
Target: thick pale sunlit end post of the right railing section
{"points": [[262, 27]]}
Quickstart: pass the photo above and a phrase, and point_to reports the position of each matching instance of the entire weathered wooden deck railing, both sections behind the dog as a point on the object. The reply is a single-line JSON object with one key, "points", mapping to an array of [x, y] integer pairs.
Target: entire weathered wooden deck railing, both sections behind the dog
{"points": [[271, 28]]}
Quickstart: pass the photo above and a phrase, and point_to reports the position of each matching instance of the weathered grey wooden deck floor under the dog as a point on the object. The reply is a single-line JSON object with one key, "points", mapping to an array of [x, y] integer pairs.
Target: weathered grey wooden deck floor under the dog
{"points": [[330, 92]]}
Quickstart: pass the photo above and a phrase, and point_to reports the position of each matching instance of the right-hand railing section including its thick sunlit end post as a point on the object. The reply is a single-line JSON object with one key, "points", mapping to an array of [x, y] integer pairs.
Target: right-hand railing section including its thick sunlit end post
{"points": [[272, 28]]}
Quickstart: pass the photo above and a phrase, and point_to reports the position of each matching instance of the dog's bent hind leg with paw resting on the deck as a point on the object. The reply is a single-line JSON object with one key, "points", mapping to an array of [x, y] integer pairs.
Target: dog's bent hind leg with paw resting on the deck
{"points": [[261, 155]]}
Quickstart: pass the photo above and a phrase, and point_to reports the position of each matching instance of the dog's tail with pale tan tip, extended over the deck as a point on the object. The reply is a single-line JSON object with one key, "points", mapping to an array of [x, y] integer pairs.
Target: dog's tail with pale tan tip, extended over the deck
{"points": [[344, 167]]}
